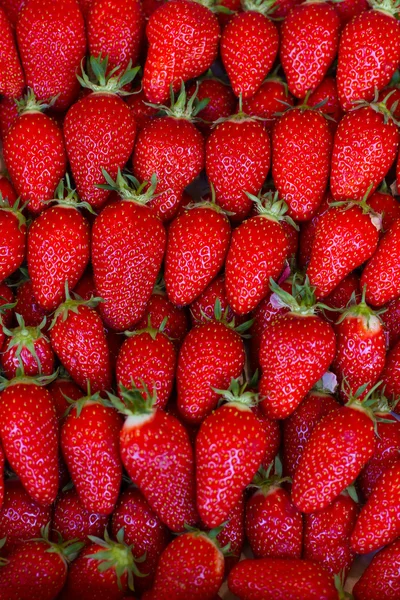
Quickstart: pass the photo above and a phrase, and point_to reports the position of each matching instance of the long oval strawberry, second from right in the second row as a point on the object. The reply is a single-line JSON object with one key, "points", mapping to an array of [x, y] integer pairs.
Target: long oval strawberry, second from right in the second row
{"points": [[301, 178]]}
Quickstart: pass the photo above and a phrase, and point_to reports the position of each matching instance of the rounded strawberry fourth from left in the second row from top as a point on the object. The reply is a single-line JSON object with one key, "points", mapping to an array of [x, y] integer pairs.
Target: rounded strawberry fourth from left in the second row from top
{"points": [[238, 156]]}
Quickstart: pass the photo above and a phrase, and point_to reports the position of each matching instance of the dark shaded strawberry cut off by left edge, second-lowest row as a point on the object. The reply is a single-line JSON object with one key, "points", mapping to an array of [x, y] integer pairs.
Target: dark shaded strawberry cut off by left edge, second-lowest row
{"points": [[21, 518]]}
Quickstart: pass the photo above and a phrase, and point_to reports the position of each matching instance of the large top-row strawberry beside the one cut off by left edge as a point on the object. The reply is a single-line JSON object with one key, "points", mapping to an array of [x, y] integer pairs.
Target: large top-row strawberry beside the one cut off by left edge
{"points": [[52, 43]]}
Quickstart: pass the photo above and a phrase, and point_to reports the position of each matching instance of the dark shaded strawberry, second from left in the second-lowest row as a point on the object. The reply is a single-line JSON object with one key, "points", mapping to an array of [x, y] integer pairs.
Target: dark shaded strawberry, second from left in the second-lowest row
{"points": [[73, 522]]}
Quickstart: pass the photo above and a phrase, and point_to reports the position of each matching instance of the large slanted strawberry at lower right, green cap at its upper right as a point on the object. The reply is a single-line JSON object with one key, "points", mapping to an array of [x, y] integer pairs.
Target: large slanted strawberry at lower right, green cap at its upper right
{"points": [[325, 470]]}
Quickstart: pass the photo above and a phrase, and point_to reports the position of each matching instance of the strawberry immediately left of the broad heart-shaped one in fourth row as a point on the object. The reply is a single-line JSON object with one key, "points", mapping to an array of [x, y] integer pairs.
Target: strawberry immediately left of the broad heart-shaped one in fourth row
{"points": [[211, 355]]}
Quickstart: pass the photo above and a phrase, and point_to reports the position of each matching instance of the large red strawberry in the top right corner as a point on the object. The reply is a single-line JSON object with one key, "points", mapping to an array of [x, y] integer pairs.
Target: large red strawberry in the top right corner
{"points": [[369, 53]]}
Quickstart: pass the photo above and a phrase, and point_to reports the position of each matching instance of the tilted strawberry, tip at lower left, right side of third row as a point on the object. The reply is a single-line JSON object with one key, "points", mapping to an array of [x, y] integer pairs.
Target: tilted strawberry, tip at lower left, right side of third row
{"points": [[345, 237]]}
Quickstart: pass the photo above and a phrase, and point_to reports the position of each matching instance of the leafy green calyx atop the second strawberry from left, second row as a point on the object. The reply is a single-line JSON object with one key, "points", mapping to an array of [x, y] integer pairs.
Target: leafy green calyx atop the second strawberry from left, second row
{"points": [[104, 81]]}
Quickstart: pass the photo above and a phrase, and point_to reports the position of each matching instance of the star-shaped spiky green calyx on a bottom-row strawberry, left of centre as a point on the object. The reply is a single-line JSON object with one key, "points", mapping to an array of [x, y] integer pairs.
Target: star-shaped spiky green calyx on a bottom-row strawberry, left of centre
{"points": [[117, 555]]}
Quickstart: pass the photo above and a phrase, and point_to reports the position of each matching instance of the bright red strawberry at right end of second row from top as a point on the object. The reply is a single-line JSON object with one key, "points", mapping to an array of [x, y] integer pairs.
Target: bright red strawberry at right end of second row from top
{"points": [[364, 149]]}
